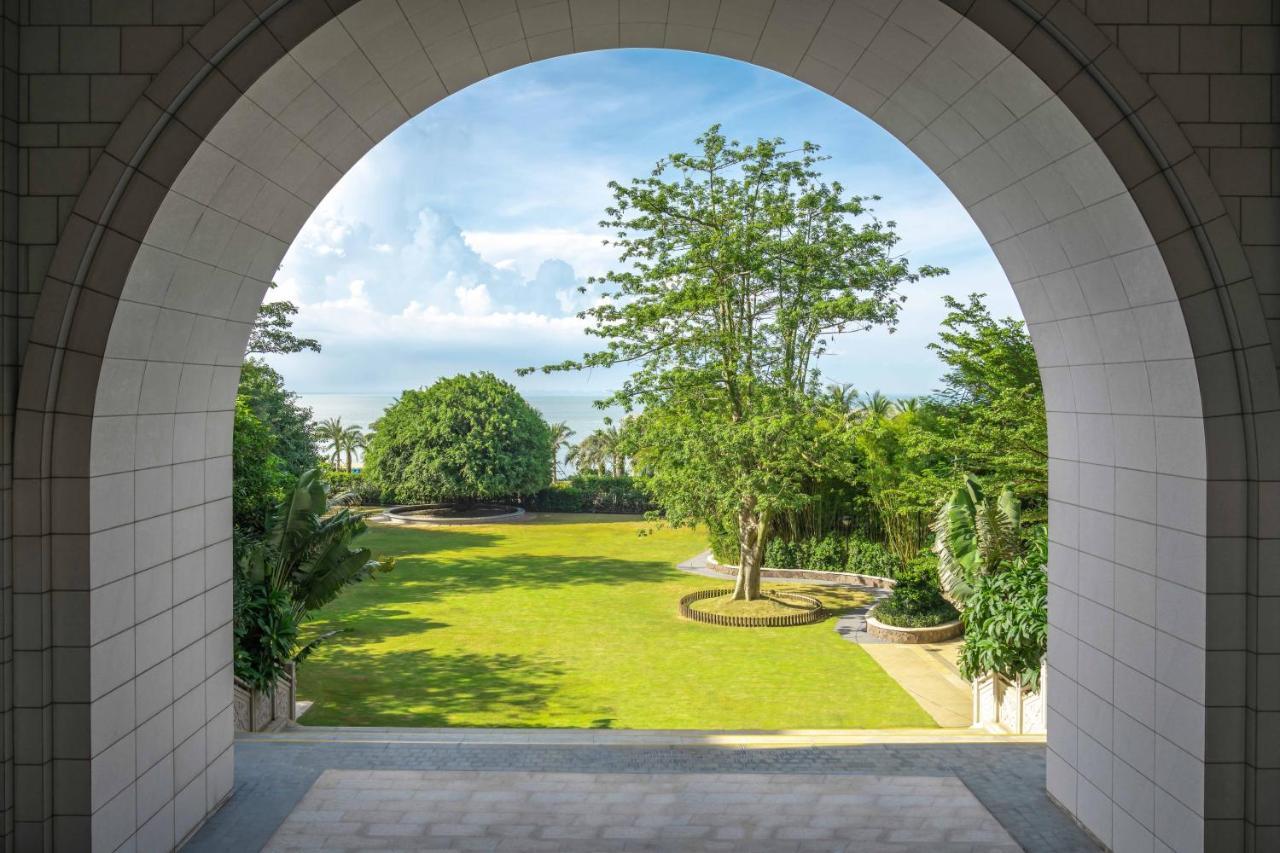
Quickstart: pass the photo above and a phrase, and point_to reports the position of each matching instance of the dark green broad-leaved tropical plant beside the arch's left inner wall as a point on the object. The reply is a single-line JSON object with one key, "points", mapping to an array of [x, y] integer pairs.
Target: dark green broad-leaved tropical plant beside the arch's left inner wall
{"points": [[301, 563]]}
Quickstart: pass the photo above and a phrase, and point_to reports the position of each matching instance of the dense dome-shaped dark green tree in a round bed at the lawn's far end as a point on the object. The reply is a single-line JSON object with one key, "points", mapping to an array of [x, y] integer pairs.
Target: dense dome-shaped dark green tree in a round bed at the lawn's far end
{"points": [[467, 439]]}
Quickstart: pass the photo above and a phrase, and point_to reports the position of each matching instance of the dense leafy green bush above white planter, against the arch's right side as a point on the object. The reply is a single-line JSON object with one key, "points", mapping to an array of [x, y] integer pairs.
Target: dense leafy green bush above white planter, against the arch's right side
{"points": [[1007, 618]]}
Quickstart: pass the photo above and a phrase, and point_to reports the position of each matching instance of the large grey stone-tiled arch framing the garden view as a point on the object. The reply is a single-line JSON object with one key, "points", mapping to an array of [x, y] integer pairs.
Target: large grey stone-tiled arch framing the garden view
{"points": [[1158, 367]]}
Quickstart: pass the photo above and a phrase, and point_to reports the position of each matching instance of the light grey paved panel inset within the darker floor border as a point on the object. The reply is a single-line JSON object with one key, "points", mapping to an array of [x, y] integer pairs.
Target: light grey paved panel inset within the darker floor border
{"points": [[356, 810]]}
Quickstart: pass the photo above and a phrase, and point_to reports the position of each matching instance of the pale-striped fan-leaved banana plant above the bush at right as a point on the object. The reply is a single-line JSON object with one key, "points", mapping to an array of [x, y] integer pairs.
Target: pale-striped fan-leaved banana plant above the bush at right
{"points": [[975, 536]]}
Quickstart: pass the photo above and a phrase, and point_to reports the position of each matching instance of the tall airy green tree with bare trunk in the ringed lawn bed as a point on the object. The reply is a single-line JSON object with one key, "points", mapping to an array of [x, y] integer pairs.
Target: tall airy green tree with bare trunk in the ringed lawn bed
{"points": [[739, 264]]}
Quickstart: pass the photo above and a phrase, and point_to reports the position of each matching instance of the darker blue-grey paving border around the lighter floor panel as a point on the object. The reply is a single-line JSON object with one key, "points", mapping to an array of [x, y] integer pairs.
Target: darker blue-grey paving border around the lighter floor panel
{"points": [[275, 774]]}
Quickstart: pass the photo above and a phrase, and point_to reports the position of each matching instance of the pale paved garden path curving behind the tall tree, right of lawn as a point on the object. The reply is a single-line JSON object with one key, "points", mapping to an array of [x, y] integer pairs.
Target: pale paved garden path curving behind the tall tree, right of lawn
{"points": [[927, 672]]}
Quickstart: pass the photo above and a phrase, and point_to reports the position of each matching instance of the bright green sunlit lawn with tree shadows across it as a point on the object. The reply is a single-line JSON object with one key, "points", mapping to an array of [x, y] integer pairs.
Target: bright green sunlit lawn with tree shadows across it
{"points": [[570, 622]]}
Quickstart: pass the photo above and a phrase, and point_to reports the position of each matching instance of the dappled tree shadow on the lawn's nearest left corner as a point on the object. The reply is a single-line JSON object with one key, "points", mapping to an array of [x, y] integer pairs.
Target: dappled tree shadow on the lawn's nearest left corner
{"points": [[423, 688]]}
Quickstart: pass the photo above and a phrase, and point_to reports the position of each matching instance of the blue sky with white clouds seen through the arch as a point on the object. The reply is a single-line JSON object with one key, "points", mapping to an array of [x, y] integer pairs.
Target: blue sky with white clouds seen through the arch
{"points": [[458, 244]]}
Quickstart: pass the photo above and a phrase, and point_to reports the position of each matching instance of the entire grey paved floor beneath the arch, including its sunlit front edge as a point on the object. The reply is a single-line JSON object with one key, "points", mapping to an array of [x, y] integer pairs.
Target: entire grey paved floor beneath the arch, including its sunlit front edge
{"points": [[451, 790]]}
